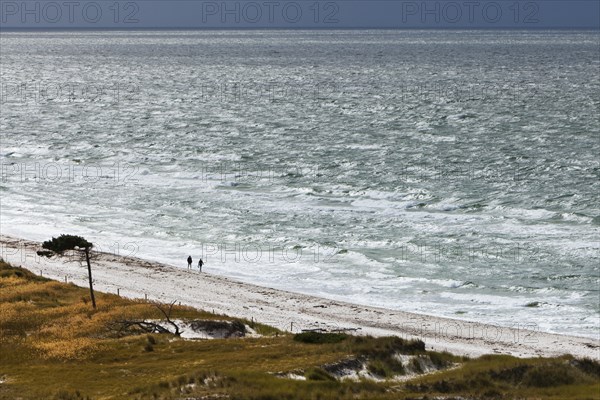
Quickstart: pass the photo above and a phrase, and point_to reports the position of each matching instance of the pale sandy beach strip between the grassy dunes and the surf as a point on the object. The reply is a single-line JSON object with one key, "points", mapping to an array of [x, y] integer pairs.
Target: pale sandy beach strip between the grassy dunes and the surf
{"points": [[288, 311]]}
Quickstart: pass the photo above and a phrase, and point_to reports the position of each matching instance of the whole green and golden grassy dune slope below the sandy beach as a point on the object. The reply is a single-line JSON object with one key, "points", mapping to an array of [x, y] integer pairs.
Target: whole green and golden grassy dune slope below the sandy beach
{"points": [[52, 345]]}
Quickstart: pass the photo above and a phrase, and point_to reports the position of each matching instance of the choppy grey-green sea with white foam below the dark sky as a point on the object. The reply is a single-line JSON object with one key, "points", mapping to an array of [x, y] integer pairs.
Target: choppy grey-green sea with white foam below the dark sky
{"points": [[451, 173]]}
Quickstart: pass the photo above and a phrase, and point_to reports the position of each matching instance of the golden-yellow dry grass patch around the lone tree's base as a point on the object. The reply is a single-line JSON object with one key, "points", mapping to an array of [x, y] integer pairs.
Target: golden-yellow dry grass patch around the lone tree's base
{"points": [[56, 320]]}
